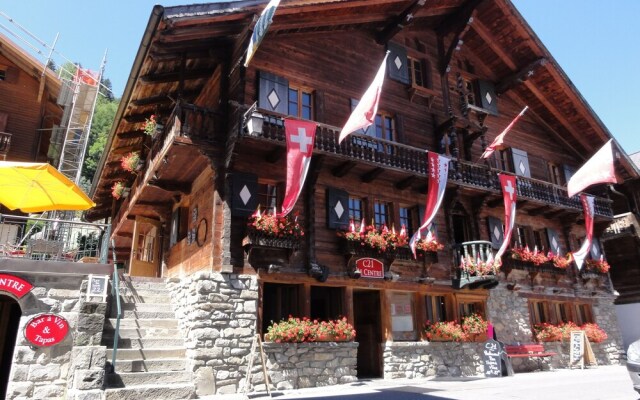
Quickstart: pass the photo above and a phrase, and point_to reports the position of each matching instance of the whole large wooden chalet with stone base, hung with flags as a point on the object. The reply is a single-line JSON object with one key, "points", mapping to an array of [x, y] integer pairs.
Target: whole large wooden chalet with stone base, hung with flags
{"points": [[458, 72]]}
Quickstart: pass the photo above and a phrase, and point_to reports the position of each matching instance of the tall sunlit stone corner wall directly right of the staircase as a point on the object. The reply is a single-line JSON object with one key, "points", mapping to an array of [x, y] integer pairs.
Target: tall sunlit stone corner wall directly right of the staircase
{"points": [[218, 314]]}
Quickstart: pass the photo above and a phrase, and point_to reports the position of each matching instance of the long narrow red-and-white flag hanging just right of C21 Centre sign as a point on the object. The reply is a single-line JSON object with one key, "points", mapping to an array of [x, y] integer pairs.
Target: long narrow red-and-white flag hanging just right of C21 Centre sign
{"points": [[438, 169]]}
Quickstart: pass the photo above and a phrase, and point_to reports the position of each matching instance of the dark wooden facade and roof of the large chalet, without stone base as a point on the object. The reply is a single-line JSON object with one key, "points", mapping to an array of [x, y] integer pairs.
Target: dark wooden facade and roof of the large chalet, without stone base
{"points": [[479, 65]]}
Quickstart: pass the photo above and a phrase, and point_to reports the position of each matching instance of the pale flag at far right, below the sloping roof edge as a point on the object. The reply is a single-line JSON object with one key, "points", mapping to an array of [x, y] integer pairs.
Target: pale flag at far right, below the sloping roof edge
{"points": [[598, 169]]}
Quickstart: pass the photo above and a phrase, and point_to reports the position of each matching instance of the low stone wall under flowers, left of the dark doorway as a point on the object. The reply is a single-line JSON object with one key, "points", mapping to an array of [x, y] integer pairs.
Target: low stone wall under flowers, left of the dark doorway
{"points": [[304, 365]]}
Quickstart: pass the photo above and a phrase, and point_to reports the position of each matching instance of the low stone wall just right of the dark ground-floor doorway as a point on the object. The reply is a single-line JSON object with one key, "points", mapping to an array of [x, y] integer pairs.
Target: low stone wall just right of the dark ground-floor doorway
{"points": [[422, 359]]}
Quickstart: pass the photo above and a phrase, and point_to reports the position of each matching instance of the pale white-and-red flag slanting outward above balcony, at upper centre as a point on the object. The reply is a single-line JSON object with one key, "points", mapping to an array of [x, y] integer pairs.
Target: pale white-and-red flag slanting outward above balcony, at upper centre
{"points": [[365, 112]]}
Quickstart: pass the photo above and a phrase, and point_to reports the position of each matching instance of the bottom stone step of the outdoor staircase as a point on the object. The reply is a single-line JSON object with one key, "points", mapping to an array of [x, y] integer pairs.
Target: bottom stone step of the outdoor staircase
{"points": [[178, 391]]}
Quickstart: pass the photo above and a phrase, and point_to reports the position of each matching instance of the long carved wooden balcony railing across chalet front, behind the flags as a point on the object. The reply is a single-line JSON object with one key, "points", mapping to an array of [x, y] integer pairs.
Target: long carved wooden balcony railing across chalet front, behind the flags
{"points": [[380, 153]]}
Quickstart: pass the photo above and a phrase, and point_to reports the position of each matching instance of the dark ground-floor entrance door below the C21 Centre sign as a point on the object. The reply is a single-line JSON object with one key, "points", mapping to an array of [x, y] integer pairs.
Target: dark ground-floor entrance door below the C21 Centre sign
{"points": [[367, 322]]}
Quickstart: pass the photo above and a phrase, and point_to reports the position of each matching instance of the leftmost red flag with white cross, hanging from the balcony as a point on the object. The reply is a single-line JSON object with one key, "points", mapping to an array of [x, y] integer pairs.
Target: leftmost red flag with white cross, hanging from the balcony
{"points": [[301, 136]]}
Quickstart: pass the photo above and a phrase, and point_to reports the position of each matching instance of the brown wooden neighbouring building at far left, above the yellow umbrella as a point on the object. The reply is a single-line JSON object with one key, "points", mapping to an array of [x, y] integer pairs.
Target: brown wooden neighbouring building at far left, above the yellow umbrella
{"points": [[28, 108]]}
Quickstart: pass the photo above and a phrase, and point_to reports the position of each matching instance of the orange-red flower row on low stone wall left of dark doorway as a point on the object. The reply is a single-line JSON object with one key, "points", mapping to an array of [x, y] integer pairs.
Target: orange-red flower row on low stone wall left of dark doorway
{"points": [[301, 330]]}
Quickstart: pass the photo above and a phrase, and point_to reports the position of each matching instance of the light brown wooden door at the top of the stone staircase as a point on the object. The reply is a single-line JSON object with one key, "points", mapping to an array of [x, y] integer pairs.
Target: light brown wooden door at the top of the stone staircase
{"points": [[145, 252]]}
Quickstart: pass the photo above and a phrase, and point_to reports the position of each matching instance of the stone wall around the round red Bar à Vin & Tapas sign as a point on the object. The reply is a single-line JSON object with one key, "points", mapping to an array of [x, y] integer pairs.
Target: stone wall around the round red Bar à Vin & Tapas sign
{"points": [[72, 369]]}
